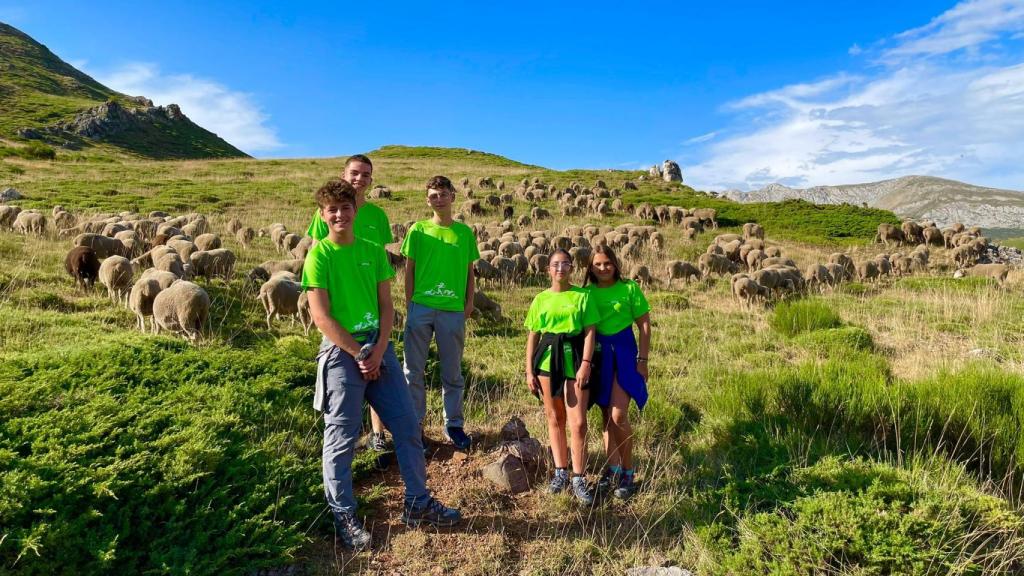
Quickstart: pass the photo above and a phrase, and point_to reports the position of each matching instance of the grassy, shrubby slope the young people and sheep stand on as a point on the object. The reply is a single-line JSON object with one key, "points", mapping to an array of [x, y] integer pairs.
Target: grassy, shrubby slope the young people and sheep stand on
{"points": [[870, 430]]}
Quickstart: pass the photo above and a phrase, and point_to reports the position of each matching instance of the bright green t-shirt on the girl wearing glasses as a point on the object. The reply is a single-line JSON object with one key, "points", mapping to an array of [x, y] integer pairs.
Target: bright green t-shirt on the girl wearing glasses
{"points": [[562, 313]]}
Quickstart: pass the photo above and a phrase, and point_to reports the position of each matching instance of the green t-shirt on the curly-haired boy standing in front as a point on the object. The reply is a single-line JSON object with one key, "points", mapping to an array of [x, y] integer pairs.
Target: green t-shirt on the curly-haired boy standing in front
{"points": [[351, 275]]}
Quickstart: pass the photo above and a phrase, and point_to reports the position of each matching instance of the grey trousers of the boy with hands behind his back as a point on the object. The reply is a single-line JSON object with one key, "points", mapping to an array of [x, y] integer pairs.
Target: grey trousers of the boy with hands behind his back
{"points": [[449, 328]]}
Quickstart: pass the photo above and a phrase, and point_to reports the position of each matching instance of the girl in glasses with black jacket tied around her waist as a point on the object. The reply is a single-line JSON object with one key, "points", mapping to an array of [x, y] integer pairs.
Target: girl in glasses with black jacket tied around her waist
{"points": [[560, 358]]}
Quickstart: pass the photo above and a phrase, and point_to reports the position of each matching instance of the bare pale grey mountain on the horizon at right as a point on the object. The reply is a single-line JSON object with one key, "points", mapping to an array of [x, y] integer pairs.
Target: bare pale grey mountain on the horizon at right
{"points": [[923, 198]]}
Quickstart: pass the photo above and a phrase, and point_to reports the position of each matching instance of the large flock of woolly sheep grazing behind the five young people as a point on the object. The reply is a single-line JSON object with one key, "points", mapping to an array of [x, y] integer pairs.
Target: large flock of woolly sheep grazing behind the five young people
{"points": [[172, 253]]}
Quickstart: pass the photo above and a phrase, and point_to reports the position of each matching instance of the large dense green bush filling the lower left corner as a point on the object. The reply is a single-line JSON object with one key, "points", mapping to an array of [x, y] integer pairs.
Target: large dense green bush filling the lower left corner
{"points": [[150, 456]]}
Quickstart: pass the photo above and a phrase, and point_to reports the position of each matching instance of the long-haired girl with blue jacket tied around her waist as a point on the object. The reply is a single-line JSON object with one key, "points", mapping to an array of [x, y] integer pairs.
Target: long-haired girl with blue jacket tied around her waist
{"points": [[623, 367]]}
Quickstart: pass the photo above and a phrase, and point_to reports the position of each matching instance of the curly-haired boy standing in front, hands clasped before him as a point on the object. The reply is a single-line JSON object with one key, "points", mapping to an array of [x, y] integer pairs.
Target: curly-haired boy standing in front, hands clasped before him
{"points": [[350, 284]]}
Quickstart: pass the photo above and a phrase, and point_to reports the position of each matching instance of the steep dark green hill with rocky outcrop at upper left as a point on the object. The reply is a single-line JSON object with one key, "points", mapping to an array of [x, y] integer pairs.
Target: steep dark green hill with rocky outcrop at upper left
{"points": [[45, 99]]}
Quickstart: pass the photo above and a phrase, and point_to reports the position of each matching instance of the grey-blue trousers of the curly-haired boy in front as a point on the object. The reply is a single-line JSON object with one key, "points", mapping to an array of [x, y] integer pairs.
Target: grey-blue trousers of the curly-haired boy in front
{"points": [[344, 389]]}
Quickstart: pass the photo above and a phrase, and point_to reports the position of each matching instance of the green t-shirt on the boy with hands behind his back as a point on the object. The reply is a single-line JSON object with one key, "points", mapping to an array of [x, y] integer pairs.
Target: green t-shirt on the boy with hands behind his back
{"points": [[443, 256]]}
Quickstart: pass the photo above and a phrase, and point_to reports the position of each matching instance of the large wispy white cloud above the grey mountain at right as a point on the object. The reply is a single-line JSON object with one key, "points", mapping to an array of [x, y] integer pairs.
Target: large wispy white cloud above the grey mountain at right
{"points": [[943, 116]]}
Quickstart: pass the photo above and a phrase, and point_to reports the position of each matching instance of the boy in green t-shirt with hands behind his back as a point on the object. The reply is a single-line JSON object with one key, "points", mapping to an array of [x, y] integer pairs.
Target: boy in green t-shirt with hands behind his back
{"points": [[440, 289]]}
